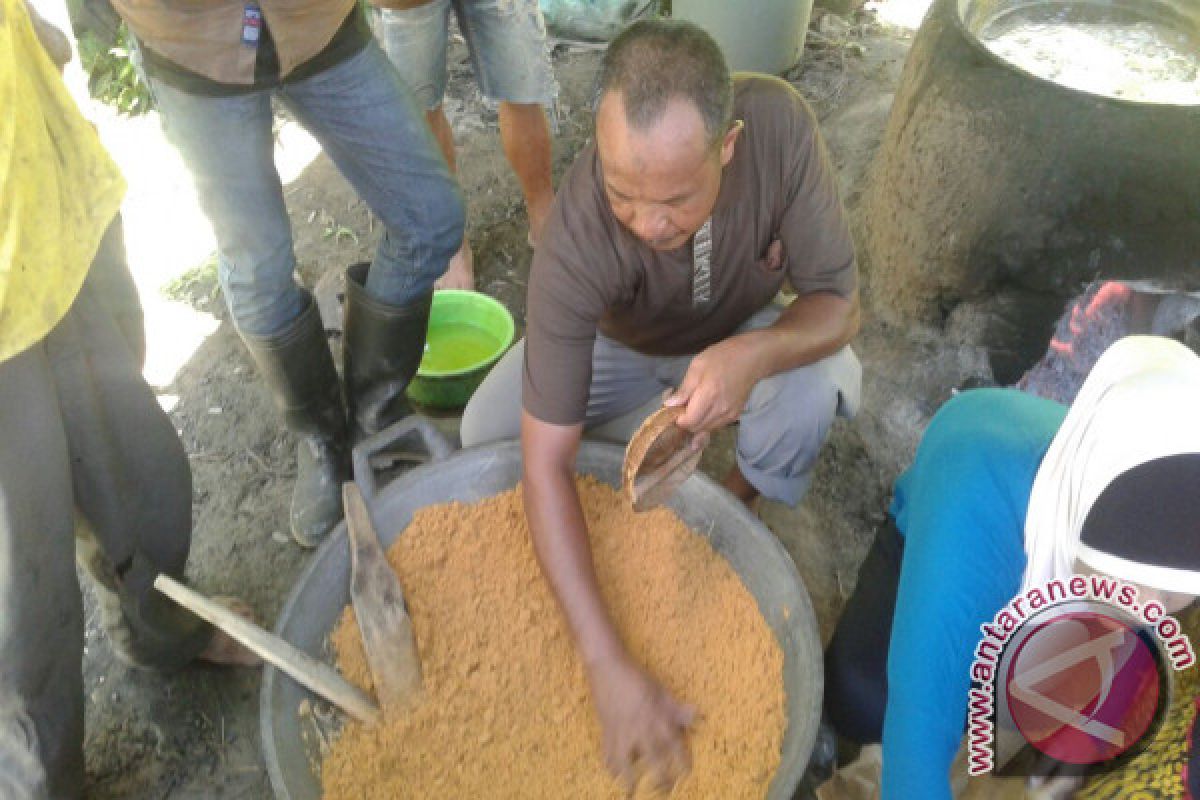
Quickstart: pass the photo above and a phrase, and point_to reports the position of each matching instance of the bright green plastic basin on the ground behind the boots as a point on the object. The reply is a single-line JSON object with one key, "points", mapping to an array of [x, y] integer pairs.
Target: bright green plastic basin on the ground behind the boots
{"points": [[469, 334]]}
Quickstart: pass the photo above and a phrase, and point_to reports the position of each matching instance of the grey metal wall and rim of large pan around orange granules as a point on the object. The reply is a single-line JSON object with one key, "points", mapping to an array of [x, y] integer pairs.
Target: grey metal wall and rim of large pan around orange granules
{"points": [[755, 555]]}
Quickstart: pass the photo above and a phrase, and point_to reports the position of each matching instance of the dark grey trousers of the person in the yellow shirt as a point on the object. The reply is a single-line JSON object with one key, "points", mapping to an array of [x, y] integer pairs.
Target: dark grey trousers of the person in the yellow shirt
{"points": [[83, 435]]}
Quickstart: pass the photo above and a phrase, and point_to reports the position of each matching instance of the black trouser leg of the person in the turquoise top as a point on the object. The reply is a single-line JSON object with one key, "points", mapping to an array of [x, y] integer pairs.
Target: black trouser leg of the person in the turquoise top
{"points": [[857, 659]]}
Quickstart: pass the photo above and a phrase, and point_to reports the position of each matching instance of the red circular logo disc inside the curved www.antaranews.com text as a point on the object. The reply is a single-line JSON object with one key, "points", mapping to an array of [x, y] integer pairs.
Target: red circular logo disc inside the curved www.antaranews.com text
{"points": [[1083, 688]]}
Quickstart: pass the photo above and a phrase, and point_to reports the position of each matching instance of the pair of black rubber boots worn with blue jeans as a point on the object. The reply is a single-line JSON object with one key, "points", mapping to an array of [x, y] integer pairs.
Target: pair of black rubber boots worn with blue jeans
{"points": [[382, 347]]}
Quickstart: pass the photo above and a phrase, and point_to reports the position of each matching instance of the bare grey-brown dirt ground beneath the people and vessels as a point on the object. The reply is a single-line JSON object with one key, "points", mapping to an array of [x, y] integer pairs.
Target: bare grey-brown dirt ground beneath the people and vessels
{"points": [[195, 735]]}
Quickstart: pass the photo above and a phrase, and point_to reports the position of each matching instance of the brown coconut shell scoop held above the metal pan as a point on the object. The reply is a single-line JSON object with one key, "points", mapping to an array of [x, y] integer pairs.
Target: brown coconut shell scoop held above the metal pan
{"points": [[659, 459]]}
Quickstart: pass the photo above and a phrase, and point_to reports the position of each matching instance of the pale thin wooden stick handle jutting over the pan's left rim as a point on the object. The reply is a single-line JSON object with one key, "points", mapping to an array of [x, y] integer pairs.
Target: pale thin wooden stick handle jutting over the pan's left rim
{"points": [[301, 666]]}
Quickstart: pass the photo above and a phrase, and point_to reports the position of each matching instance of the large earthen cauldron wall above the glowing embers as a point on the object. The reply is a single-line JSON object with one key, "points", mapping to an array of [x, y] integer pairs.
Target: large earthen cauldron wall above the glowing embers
{"points": [[994, 183]]}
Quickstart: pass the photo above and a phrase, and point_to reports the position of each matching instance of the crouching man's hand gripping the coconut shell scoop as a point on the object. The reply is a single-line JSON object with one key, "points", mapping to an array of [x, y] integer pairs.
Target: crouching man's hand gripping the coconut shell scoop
{"points": [[718, 384]]}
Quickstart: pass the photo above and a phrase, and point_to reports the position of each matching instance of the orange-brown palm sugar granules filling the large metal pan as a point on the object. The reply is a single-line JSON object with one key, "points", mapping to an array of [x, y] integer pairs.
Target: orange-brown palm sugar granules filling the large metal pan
{"points": [[506, 711]]}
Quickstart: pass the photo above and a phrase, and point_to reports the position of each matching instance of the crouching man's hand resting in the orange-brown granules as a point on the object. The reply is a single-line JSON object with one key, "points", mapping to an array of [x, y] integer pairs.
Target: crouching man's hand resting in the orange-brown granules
{"points": [[645, 729]]}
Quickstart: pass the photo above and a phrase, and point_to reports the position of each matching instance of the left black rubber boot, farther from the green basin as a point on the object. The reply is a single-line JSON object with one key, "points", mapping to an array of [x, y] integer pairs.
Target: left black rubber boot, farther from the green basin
{"points": [[299, 369]]}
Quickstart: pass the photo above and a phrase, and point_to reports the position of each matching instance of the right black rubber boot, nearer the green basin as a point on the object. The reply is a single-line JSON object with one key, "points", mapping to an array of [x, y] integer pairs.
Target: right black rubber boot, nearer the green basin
{"points": [[382, 348]]}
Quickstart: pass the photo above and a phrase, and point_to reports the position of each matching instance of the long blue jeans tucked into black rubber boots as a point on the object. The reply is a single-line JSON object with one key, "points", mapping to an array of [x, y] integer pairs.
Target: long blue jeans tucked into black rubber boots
{"points": [[371, 128]]}
